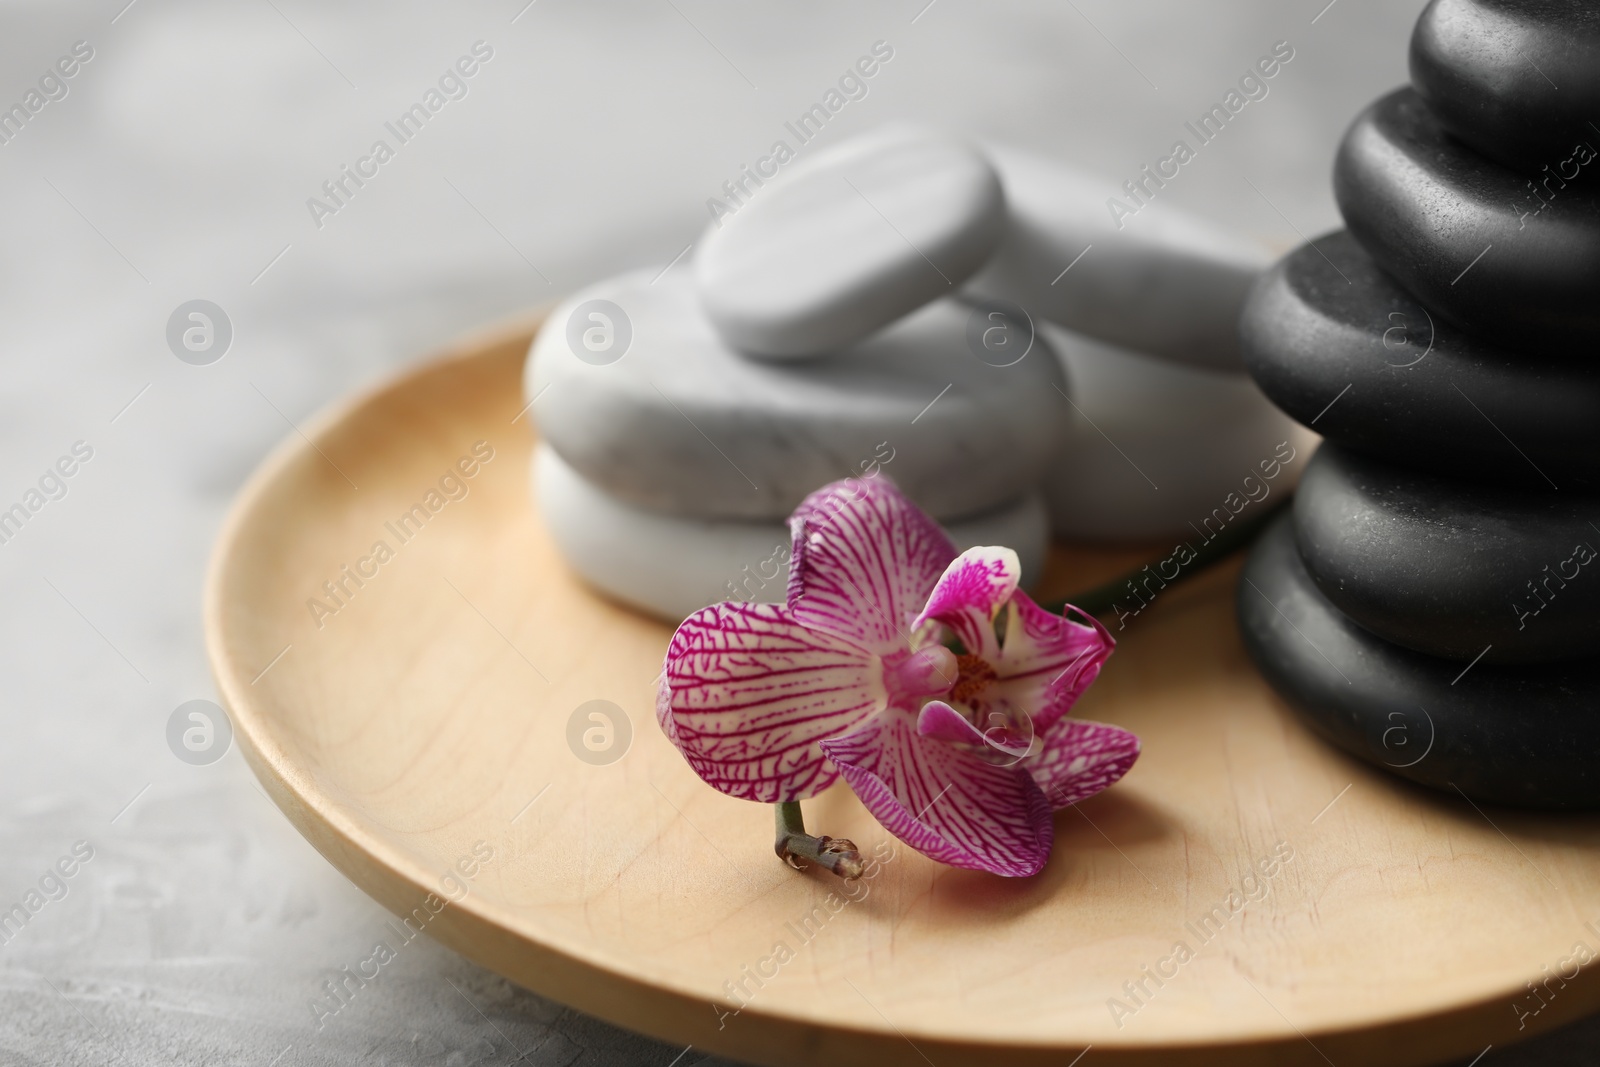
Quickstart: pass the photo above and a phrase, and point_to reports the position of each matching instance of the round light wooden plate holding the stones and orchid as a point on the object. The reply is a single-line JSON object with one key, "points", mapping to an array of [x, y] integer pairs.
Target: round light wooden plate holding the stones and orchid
{"points": [[415, 729]]}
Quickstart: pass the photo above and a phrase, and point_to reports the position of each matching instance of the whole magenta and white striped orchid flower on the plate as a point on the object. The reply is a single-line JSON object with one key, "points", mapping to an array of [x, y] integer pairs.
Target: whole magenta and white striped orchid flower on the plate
{"points": [[927, 681]]}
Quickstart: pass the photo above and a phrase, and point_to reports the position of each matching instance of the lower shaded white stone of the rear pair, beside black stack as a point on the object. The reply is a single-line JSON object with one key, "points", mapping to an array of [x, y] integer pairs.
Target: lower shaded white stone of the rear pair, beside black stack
{"points": [[1156, 447]]}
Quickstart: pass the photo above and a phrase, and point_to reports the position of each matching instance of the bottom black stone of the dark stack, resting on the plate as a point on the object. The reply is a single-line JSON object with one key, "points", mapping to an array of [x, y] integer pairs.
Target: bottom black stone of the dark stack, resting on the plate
{"points": [[1502, 735]]}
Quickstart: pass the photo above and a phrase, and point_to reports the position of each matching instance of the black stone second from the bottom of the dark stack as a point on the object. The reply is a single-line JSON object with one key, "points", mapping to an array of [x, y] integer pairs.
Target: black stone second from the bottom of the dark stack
{"points": [[1449, 567]]}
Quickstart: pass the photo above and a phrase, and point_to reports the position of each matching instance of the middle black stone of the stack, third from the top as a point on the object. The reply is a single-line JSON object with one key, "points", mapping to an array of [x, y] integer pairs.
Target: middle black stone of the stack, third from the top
{"points": [[1340, 346]]}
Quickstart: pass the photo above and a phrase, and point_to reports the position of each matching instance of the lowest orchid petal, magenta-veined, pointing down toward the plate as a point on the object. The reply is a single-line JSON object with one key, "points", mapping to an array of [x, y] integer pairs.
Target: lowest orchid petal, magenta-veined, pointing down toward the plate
{"points": [[943, 799]]}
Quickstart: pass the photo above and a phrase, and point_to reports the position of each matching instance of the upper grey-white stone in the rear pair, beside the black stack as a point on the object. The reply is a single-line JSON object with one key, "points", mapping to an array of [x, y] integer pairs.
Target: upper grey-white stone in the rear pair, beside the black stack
{"points": [[1167, 282]]}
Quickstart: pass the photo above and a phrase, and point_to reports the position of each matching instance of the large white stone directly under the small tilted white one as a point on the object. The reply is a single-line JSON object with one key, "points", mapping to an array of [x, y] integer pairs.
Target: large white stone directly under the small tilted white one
{"points": [[686, 425]]}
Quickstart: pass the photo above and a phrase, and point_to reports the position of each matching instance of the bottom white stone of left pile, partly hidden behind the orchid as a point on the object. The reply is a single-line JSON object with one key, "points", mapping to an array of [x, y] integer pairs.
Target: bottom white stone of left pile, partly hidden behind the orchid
{"points": [[671, 567]]}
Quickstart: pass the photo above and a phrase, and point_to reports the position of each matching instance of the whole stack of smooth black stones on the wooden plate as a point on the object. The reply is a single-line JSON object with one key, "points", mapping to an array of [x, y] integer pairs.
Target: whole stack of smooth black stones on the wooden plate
{"points": [[1433, 605]]}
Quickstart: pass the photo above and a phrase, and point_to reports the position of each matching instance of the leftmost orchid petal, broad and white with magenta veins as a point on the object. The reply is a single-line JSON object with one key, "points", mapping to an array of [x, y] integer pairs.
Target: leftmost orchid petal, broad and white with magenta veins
{"points": [[751, 693]]}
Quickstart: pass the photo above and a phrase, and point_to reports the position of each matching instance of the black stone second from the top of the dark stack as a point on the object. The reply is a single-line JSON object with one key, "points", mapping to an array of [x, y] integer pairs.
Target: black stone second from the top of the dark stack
{"points": [[1474, 241]]}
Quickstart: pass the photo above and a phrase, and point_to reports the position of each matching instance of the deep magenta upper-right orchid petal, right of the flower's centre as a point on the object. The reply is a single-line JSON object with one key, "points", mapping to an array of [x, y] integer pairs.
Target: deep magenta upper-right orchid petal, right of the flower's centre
{"points": [[1049, 661]]}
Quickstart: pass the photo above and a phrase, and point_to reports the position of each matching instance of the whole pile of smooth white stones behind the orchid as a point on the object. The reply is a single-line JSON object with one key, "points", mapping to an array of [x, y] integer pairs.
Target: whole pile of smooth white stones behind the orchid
{"points": [[863, 318]]}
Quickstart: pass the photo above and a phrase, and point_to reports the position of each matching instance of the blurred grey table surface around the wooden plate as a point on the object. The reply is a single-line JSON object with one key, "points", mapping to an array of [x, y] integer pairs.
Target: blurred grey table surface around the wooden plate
{"points": [[178, 164]]}
